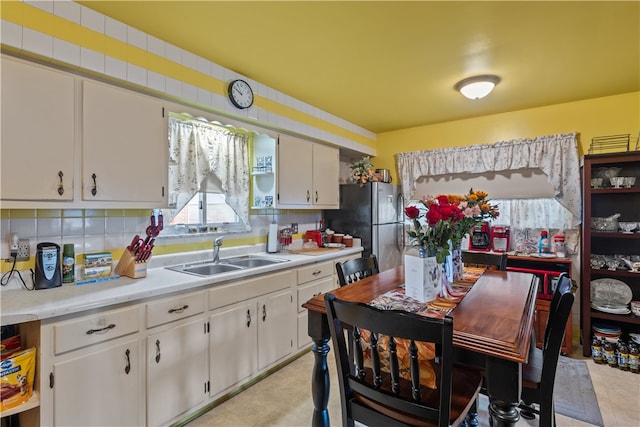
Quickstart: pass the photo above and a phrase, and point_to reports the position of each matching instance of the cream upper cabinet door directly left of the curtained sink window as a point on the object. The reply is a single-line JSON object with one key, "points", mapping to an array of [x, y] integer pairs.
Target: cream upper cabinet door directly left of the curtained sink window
{"points": [[124, 146]]}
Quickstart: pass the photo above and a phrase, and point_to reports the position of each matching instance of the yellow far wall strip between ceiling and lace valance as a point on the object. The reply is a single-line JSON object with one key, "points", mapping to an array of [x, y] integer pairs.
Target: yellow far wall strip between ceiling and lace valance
{"points": [[611, 115]]}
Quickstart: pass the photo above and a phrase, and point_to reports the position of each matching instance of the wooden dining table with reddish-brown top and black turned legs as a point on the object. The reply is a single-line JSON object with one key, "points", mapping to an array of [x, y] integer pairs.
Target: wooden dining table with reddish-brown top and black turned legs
{"points": [[491, 329]]}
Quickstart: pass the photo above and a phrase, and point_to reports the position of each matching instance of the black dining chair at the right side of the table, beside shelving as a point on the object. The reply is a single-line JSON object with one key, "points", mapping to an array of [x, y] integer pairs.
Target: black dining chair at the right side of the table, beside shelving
{"points": [[538, 375]]}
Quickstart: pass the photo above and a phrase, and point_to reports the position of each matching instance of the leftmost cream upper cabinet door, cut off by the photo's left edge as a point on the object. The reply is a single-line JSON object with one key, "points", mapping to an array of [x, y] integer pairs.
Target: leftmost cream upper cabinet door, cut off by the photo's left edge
{"points": [[37, 133]]}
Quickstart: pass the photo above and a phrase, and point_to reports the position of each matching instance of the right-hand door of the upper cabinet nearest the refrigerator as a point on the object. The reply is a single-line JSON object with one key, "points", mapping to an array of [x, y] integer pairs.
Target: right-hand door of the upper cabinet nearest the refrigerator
{"points": [[326, 176]]}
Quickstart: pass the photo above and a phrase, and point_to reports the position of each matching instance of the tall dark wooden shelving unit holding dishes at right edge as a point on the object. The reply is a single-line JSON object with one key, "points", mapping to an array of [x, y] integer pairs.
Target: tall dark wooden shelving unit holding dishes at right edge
{"points": [[604, 202]]}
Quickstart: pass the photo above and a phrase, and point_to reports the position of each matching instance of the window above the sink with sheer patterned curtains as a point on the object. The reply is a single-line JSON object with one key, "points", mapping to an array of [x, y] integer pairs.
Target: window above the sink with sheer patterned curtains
{"points": [[208, 175]]}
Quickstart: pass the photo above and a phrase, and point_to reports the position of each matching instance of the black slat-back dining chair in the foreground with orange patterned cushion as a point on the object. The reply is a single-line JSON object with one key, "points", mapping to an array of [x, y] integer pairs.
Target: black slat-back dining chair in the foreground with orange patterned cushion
{"points": [[383, 390]]}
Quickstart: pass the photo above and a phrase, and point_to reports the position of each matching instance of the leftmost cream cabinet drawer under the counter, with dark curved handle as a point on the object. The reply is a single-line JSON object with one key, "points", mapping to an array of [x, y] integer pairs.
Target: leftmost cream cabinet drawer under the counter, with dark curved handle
{"points": [[99, 327]]}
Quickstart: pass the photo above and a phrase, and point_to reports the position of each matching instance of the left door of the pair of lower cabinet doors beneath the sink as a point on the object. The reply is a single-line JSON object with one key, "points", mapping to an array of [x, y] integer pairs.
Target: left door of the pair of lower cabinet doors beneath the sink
{"points": [[232, 346]]}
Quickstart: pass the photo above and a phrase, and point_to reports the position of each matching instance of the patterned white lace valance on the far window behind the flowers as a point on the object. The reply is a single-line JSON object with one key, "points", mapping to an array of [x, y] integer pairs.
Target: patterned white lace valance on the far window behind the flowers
{"points": [[555, 155]]}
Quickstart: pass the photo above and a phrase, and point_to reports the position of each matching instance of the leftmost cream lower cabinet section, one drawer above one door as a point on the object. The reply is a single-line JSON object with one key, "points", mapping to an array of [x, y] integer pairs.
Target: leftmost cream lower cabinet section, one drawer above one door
{"points": [[91, 370]]}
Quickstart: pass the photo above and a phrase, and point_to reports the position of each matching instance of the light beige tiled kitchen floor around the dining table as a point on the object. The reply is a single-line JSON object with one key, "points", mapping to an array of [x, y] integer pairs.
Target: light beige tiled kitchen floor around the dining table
{"points": [[283, 399]]}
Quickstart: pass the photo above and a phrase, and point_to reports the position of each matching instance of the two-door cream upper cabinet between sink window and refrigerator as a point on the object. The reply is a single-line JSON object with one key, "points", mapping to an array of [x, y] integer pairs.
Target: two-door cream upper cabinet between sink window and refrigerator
{"points": [[308, 174]]}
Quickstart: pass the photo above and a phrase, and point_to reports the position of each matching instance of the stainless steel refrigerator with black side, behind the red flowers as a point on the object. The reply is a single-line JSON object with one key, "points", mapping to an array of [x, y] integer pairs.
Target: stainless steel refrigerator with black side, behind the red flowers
{"points": [[374, 213]]}
